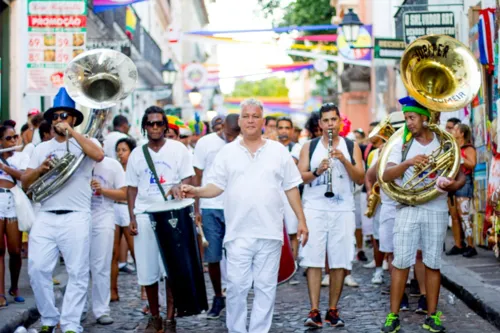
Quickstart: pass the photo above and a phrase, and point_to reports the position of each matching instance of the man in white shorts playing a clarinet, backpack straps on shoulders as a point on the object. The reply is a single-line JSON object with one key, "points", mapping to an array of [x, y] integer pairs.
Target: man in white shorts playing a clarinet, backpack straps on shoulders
{"points": [[331, 221]]}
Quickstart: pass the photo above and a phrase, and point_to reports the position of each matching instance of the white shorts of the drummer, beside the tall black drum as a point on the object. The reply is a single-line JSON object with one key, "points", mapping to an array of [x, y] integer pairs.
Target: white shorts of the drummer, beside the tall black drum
{"points": [[147, 254]]}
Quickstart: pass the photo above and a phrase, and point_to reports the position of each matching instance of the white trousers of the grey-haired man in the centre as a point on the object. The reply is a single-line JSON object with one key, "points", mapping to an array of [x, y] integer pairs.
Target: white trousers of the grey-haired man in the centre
{"points": [[251, 260]]}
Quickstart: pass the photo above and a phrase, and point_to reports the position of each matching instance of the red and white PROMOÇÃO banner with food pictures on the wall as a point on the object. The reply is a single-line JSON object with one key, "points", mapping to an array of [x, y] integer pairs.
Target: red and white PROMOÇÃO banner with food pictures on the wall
{"points": [[56, 34]]}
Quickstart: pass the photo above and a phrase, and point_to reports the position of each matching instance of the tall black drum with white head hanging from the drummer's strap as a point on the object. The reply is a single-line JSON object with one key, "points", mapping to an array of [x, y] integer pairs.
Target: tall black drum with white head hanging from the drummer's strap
{"points": [[175, 230]]}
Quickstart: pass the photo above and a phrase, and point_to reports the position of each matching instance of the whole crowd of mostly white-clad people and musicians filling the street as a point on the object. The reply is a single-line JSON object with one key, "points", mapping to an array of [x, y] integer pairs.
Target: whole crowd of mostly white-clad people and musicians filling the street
{"points": [[249, 175]]}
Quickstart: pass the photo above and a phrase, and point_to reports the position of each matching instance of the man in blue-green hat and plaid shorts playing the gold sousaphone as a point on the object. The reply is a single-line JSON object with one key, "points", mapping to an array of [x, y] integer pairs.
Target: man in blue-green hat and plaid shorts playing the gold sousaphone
{"points": [[423, 225]]}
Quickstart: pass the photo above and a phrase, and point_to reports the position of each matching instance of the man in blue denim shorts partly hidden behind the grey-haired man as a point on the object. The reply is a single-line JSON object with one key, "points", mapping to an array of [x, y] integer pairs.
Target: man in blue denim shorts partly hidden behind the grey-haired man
{"points": [[212, 210]]}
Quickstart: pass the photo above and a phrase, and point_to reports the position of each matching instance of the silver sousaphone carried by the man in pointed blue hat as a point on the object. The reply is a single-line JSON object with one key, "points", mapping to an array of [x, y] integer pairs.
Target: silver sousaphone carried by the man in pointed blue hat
{"points": [[96, 79]]}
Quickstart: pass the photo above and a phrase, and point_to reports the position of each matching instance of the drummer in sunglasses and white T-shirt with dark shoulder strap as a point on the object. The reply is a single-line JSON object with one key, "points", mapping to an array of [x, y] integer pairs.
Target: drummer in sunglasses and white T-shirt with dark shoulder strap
{"points": [[172, 162]]}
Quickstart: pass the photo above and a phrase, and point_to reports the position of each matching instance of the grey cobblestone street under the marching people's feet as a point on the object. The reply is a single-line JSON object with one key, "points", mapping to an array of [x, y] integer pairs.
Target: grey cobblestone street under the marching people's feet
{"points": [[363, 310]]}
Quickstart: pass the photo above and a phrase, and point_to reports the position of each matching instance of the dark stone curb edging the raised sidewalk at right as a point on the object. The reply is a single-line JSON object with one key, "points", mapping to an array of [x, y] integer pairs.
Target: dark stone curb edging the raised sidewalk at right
{"points": [[484, 308]]}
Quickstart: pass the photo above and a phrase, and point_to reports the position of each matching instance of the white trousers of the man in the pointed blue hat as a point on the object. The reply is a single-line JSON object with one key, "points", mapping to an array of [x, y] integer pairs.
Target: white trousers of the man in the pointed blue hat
{"points": [[69, 234]]}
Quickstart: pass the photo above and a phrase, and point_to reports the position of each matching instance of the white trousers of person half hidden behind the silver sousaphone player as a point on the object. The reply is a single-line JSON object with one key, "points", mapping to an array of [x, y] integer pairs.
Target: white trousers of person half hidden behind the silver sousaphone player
{"points": [[101, 255]]}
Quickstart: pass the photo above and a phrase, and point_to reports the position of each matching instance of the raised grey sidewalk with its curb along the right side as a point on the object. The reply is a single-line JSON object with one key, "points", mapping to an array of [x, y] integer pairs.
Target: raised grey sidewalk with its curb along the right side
{"points": [[475, 280]]}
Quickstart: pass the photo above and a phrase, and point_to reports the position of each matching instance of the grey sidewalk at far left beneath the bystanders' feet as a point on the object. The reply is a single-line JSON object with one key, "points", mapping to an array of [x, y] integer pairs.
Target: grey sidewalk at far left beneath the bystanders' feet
{"points": [[16, 315]]}
